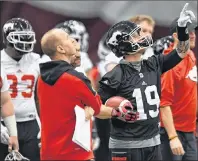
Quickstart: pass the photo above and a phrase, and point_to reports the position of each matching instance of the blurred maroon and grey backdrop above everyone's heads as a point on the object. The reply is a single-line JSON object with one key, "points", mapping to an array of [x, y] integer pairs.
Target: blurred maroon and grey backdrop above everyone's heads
{"points": [[97, 16]]}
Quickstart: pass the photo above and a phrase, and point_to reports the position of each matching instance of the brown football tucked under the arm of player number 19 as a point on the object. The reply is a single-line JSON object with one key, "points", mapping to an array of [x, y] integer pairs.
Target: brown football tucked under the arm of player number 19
{"points": [[115, 101]]}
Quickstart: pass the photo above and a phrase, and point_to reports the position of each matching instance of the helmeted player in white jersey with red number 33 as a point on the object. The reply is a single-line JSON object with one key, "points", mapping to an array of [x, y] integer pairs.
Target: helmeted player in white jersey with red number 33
{"points": [[22, 69]]}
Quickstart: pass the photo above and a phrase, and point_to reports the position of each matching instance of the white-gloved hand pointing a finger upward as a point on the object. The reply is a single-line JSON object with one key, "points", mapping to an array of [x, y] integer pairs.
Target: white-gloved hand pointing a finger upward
{"points": [[185, 16]]}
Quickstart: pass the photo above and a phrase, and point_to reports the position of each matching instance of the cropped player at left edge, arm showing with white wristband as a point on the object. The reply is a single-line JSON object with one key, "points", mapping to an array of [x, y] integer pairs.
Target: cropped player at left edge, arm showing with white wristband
{"points": [[9, 131]]}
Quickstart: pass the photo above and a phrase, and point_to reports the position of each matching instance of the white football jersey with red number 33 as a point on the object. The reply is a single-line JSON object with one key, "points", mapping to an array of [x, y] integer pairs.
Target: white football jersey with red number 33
{"points": [[22, 77]]}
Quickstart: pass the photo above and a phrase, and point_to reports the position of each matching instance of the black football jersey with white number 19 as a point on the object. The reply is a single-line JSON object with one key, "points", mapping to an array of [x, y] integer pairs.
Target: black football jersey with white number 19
{"points": [[139, 83]]}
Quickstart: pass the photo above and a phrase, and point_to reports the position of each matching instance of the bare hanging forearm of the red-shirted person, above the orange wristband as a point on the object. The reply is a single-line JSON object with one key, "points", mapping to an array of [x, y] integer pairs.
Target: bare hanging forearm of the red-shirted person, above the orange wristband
{"points": [[167, 120]]}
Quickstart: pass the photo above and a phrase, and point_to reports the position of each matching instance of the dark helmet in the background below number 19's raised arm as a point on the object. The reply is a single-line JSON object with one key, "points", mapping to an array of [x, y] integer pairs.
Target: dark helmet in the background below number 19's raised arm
{"points": [[162, 44]]}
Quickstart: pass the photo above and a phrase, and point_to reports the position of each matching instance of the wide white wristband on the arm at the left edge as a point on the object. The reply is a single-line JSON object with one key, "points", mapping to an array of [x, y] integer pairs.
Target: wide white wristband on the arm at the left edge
{"points": [[10, 123]]}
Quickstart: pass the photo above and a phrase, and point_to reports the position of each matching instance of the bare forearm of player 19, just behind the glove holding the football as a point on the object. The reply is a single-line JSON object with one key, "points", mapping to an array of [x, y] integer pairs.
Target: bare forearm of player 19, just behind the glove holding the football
{"points": [[105, 112]]}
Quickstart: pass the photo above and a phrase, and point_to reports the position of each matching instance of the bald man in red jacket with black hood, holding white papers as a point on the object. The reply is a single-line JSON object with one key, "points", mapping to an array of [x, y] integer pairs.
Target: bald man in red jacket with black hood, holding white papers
{"points": [[60, 89]]}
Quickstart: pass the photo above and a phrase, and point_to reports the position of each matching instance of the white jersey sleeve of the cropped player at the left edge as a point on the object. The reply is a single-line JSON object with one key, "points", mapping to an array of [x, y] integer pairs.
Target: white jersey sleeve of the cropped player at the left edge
{"points": [[3, 80]]}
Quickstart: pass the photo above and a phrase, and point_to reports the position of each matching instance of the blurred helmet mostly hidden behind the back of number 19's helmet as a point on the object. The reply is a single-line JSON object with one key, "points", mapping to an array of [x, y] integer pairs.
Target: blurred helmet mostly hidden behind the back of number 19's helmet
{"points": [[103, 49]]}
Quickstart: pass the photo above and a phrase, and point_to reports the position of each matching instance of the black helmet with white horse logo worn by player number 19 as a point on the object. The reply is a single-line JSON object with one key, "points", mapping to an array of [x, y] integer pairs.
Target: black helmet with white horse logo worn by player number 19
{"points": [[125, 38]]}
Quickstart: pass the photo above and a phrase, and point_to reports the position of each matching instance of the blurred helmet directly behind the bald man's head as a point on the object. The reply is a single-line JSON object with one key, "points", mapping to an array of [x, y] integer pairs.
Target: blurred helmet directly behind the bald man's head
{"points": [[76, 30]]}
